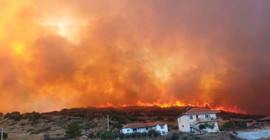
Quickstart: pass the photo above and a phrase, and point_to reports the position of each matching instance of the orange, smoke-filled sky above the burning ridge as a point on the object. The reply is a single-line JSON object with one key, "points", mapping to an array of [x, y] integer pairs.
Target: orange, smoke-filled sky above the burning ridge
{"points": [[63, 54]]}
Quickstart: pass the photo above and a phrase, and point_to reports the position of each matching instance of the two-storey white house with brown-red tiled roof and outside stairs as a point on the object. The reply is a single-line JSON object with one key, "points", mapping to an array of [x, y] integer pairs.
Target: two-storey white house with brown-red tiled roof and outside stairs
{"points": [[199, 120]]}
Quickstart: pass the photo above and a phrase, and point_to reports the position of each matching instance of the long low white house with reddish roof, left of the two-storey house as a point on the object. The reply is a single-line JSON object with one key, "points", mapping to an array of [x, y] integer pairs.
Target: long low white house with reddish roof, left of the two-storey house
{"points": [[145, 127]]}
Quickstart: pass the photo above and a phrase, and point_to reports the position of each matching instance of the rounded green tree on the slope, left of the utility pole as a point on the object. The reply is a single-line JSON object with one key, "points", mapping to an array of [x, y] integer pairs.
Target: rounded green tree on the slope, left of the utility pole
{"points": [[73, 130]]}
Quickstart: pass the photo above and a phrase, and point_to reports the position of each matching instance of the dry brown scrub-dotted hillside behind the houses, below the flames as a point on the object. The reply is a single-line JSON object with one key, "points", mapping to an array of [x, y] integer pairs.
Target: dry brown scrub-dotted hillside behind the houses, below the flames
{"points": [[35, 125]]}
